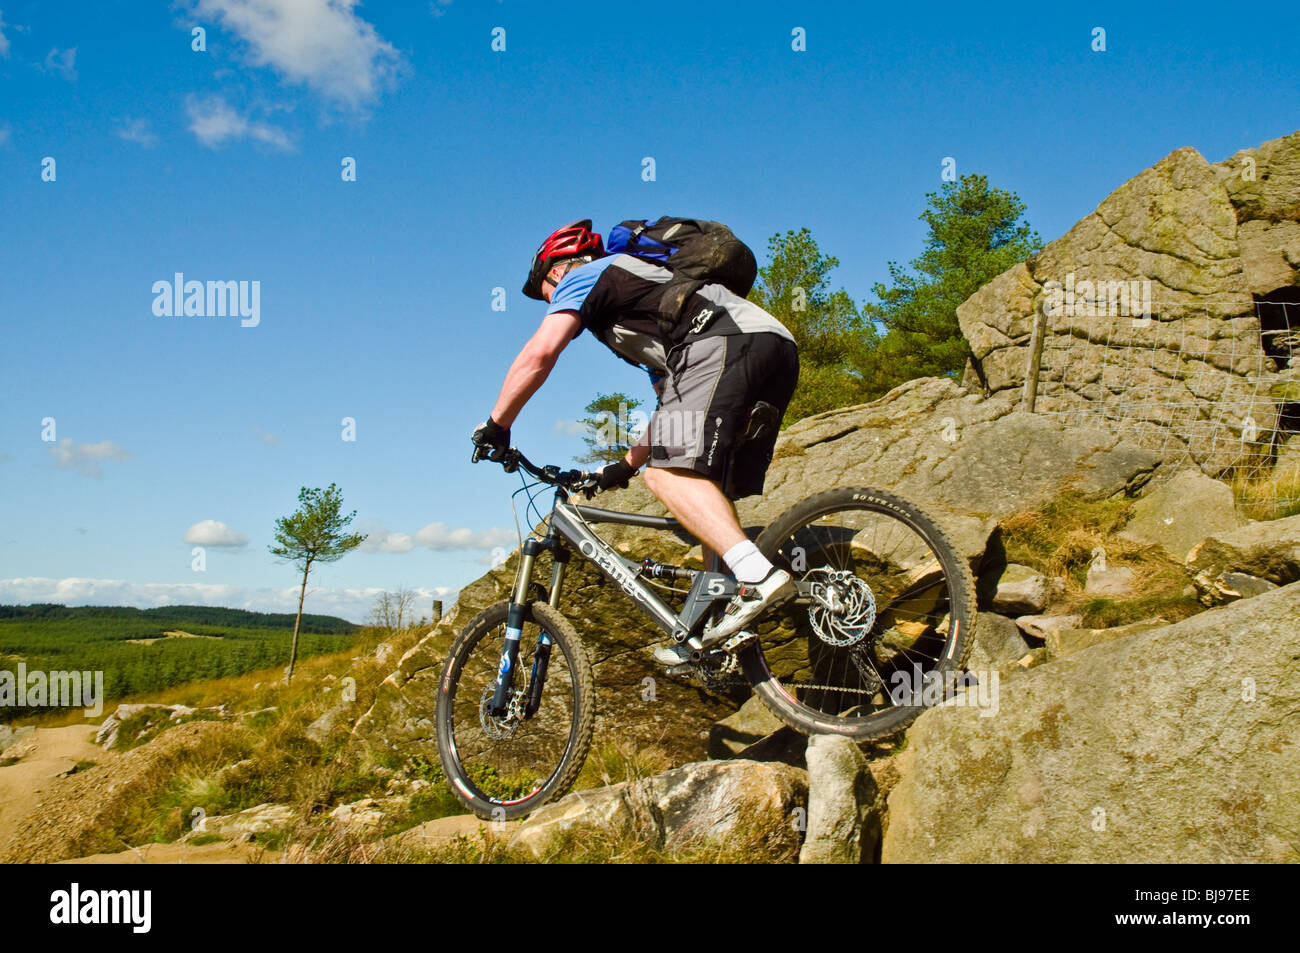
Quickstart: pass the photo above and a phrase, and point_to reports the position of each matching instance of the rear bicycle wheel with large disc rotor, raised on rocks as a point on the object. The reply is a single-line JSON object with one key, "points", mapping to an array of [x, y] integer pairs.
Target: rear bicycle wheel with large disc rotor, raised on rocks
{"points": [[890, 616]]}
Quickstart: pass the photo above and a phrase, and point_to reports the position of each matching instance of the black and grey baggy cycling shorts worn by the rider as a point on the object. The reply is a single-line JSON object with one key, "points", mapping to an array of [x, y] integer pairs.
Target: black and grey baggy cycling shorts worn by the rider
{"points": [[712, 385]]}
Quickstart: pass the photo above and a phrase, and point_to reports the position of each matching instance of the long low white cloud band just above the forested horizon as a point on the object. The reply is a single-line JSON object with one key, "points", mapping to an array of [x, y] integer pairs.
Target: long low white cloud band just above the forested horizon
{"points": [[353, 605]]}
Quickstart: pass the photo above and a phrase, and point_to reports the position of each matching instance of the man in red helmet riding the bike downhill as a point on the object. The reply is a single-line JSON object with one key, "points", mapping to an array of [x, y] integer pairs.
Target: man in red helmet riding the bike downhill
{"points": [[722, 356]]}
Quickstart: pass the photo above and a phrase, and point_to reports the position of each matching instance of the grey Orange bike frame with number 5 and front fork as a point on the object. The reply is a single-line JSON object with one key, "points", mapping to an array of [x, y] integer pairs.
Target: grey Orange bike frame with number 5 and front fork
{"points": [[569, 529]]}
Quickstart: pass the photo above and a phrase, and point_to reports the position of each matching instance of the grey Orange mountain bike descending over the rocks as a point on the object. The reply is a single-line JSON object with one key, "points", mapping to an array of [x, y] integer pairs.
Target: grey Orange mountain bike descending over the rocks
{"points": [[883, 604]]}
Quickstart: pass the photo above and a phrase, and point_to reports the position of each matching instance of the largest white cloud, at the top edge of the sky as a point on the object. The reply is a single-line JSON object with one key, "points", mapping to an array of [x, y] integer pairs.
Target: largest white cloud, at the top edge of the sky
{"points": [[322, 45]]}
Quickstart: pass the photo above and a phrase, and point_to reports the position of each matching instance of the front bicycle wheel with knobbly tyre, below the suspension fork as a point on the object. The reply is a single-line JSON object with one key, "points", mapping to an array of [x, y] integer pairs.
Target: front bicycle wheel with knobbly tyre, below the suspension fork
{"points": [[506, 768]]}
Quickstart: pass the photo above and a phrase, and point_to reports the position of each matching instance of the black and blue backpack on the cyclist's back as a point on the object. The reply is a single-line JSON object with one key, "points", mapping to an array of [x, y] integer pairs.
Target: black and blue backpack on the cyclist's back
{"points": [[697, 253]]}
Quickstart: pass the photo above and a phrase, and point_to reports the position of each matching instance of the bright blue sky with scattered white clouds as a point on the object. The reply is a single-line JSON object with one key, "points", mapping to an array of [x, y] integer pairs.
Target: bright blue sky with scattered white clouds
{"points": [[376, 294]]}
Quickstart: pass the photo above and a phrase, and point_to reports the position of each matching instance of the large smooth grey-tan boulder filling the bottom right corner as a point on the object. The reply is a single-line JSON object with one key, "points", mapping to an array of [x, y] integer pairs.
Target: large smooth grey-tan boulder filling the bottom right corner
{"points": [[1175, 746]]}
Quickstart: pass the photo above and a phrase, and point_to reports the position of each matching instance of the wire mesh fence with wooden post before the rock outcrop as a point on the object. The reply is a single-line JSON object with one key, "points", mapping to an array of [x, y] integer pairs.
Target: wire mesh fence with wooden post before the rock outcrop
{"points": [[1208, 384]]}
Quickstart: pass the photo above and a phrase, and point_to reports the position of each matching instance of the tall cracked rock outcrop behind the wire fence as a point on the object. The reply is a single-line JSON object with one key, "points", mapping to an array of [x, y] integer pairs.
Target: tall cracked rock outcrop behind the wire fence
{"points": [[1160, 309]]}
